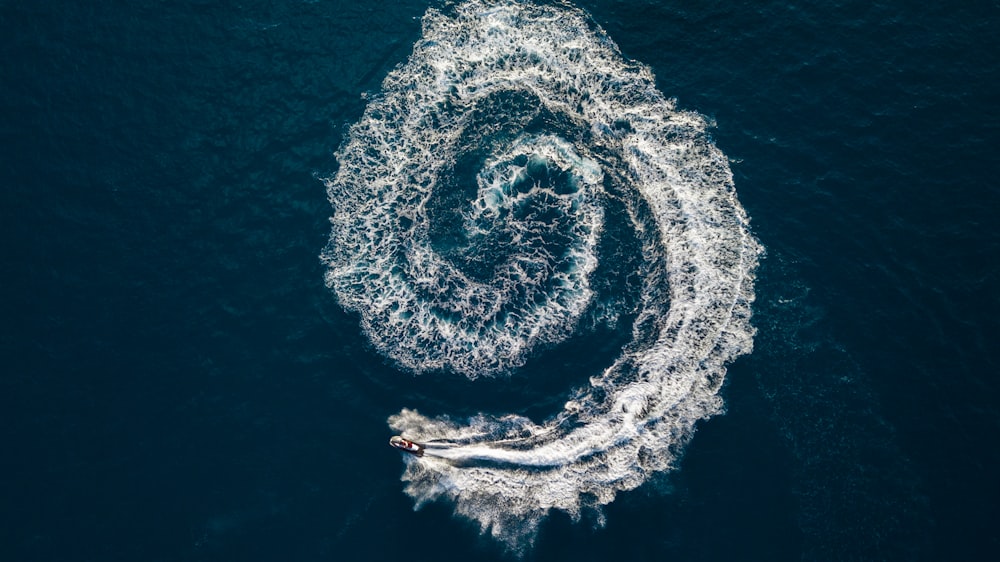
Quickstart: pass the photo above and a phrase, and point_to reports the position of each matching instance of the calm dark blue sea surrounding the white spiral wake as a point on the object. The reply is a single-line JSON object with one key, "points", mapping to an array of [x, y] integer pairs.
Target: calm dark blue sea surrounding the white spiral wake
{"points": [[179, 384]]}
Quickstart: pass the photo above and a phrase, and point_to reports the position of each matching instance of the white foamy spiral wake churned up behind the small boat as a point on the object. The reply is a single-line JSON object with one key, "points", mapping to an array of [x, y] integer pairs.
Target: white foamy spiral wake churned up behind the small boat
{"points": [[610, 130]]}
